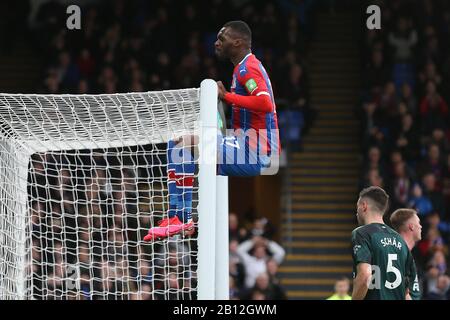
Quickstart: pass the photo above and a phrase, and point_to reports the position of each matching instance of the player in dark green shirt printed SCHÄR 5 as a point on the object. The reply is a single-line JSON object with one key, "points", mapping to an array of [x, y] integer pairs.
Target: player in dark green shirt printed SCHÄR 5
{"points": [[383, 266]]}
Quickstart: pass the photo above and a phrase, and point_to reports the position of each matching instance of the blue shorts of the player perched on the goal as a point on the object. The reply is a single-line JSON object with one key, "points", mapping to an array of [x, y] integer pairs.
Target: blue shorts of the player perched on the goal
{"points": [[235, 158]]}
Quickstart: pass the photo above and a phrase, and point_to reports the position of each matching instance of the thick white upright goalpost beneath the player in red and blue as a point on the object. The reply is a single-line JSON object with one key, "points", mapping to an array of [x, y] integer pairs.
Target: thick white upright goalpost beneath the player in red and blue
{"points": [[213, 273]]}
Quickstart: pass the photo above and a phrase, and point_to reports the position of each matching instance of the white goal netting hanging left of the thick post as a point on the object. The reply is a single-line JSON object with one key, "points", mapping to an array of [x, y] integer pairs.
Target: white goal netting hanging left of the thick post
{"points": [[82, 179]]}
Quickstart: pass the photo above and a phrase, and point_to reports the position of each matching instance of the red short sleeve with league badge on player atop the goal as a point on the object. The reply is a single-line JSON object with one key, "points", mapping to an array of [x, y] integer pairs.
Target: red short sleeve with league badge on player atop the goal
{"points": [[252, 79]]}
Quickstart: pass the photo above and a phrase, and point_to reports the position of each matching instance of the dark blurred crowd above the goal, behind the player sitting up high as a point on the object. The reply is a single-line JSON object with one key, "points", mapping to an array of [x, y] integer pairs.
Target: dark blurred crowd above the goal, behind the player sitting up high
{"points": [[132, 46]]}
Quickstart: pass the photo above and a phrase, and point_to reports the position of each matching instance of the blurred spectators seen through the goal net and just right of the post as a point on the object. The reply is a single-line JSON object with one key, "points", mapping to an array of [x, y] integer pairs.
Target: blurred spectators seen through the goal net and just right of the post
{"points": [[88, 221]]}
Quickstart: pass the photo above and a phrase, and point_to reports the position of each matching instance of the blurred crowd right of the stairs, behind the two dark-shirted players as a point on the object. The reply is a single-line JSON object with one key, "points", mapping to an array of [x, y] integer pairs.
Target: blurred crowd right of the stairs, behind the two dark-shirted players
{"points": [[404, 112]]}
